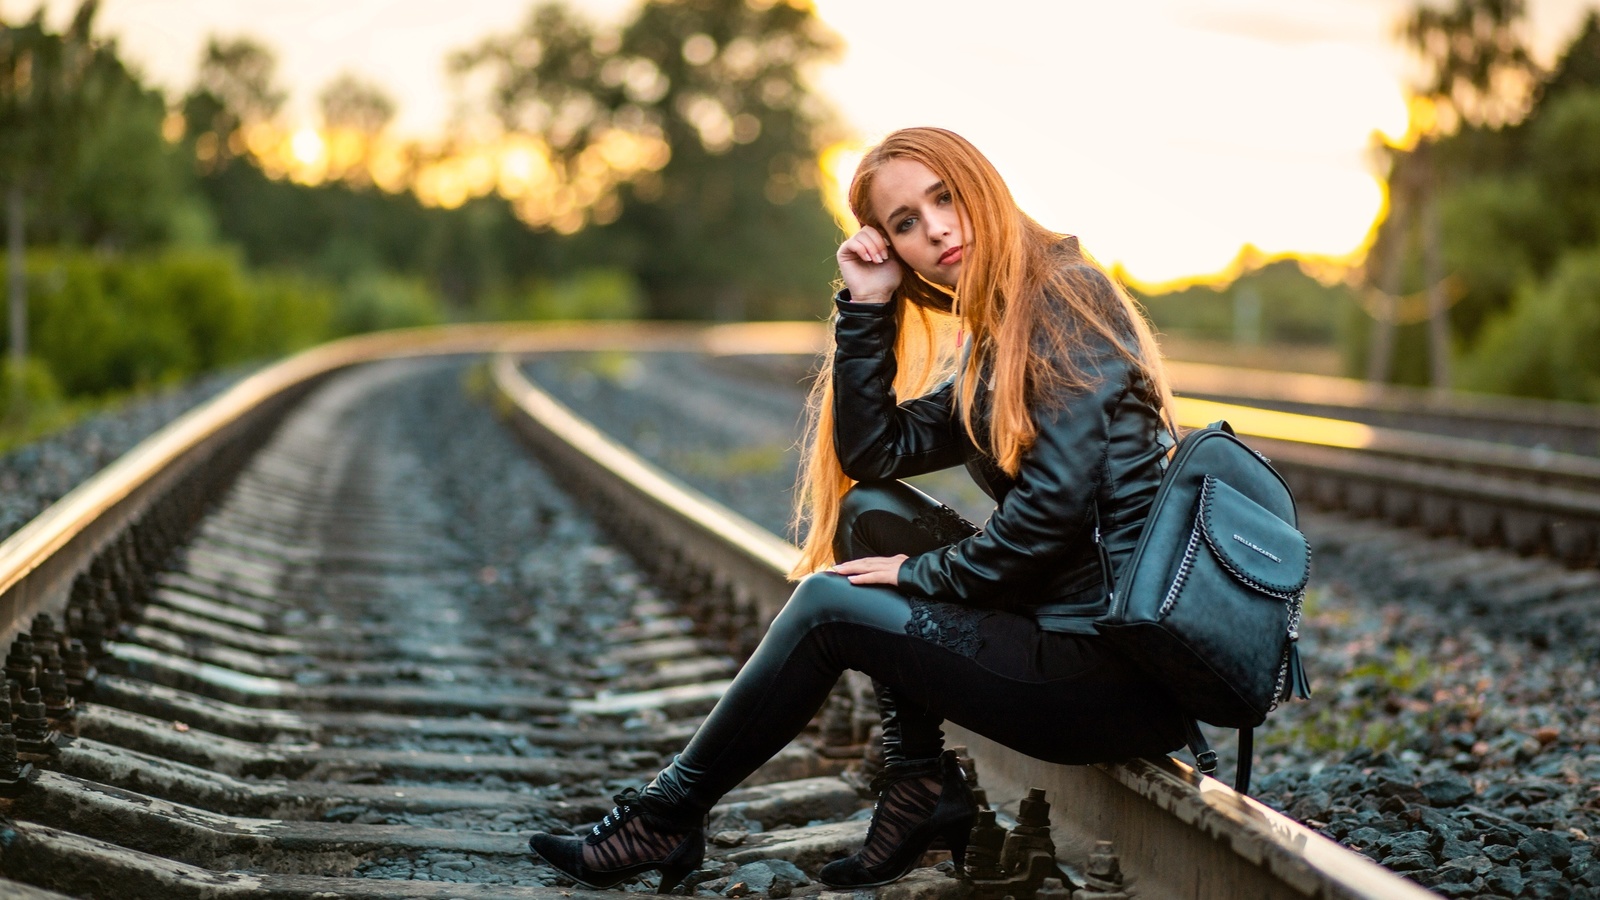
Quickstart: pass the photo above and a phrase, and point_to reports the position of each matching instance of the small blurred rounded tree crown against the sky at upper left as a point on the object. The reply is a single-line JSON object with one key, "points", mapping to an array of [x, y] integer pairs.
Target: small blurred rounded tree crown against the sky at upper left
{"points": [[236, 89]]}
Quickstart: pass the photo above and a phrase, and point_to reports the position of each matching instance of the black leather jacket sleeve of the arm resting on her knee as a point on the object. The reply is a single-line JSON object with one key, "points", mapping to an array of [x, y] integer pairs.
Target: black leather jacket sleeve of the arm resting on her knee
{"points": [[1039, 524]]}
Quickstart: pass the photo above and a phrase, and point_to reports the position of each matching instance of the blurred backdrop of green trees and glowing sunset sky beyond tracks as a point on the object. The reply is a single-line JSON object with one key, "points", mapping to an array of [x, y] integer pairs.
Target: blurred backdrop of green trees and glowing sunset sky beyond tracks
{"points": [[1372, 188]]}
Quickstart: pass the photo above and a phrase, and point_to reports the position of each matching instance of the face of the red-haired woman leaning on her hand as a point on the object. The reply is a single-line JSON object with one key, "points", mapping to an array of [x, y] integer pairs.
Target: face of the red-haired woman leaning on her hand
{"points": [[921, 219]]}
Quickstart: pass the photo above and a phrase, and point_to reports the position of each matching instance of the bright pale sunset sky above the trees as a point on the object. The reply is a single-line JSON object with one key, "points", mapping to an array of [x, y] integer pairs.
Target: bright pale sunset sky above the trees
{"points": [[1166, 134]]}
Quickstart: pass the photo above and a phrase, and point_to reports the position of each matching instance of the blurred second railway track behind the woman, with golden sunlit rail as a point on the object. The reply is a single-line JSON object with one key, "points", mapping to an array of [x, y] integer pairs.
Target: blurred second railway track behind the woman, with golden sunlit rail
{"points": [[1495, 472]]}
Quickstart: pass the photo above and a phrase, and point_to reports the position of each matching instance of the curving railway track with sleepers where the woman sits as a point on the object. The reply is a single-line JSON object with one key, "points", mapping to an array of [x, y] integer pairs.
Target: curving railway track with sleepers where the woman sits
{"points": [[311, 681]]}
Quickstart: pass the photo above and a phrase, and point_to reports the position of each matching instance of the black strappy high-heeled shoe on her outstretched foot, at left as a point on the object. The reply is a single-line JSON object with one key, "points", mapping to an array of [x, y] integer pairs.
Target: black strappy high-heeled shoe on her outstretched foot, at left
{"points": [[634, 838]]}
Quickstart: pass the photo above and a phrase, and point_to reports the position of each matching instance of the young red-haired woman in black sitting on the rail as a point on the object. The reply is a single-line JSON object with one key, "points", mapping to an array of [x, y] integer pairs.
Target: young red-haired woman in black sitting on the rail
{"points": [[1057, 408]]}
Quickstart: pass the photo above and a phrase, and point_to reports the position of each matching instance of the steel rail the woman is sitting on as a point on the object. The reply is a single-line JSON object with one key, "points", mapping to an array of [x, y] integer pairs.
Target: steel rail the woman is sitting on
{"points": [[1180, 834]]}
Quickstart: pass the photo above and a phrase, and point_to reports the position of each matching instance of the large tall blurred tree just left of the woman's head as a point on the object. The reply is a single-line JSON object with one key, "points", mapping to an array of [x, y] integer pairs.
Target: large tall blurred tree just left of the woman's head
{"points": [[732, 227]]}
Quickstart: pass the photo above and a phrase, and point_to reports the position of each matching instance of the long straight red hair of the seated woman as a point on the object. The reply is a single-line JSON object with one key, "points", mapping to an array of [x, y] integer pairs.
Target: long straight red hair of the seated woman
{"points": [[1030, 300]]}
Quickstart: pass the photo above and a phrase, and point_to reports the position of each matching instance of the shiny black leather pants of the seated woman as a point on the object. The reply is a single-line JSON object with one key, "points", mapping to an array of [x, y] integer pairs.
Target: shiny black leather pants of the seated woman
{"points": [[1057, 697]]}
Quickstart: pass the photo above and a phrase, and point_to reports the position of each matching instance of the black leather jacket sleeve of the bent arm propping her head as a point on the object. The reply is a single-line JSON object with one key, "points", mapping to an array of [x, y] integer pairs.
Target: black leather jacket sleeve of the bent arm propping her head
{"points": [[874, 436]]}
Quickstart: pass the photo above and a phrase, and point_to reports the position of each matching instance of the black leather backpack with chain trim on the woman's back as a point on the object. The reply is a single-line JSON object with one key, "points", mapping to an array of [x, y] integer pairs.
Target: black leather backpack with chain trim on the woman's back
{"points": [[1212, 600]]}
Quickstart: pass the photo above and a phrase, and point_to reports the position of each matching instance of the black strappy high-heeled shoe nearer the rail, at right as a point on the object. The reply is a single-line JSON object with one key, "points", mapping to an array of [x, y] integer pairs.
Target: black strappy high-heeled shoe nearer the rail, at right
{"points": [[902, 830]]}
